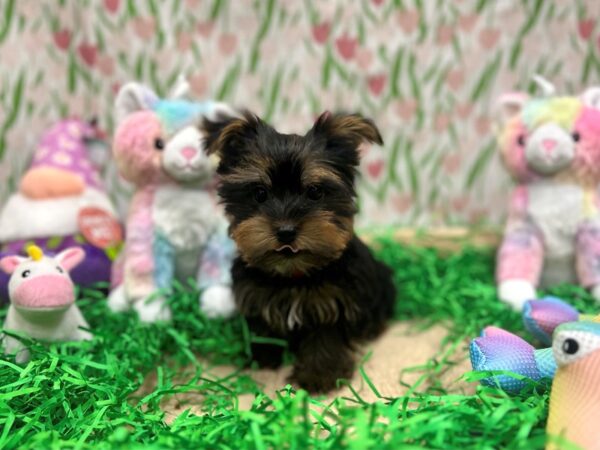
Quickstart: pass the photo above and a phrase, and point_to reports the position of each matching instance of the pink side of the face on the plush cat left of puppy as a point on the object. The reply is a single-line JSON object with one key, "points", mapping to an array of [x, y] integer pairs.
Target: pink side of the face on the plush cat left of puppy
{"points": [[134, 148]]}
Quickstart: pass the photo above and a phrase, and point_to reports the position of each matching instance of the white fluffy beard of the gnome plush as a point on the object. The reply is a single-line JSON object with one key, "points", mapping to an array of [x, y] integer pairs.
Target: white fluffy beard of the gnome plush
{"points": [[20, 218]]}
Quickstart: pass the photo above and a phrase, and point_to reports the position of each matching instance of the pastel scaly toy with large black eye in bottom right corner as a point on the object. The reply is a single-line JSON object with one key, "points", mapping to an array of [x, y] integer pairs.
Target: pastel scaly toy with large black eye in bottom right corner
{"points": [[574, 414]]}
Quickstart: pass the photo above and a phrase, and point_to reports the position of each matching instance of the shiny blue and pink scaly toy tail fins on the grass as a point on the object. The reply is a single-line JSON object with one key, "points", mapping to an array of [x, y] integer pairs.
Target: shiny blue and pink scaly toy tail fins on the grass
{"points": [[500, 350]]}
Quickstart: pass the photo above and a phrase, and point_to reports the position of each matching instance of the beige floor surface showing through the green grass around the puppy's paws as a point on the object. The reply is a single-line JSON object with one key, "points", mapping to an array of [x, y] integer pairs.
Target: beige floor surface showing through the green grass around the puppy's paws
{"points": [[403, 346]]}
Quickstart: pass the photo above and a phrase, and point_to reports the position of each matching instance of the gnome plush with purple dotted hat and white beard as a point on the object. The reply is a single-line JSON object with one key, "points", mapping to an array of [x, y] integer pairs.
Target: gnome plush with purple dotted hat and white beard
{"points": [[61, 202]]}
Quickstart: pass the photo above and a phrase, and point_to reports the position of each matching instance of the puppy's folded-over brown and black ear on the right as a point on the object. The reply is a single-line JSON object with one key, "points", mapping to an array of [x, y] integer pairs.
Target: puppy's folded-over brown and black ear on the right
{"points": [[346, 130]]}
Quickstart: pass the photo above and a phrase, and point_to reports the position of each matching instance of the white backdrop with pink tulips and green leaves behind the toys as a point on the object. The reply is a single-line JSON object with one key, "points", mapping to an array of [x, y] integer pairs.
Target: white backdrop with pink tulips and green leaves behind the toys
{"points": [[427, 71]]}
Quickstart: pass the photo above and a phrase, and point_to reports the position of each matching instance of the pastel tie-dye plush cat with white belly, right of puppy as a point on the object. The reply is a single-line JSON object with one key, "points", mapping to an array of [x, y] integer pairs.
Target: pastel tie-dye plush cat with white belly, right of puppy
{"points": [[551, 146]]}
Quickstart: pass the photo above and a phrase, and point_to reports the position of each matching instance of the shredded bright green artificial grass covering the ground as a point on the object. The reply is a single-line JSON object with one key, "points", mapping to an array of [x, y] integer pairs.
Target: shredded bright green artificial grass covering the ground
{"points": [[86, 395]]}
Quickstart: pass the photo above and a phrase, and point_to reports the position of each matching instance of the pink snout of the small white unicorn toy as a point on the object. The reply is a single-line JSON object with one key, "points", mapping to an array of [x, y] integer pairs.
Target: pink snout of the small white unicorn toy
{"points": [[44, 291]]}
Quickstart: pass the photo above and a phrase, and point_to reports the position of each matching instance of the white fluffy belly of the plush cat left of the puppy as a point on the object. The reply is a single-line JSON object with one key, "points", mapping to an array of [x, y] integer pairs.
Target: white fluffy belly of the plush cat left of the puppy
{"points": [[185, 217]]}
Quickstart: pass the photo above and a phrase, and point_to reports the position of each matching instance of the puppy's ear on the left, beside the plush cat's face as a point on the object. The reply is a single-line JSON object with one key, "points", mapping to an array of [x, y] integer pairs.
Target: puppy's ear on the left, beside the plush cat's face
{"points": [[226, 134]]}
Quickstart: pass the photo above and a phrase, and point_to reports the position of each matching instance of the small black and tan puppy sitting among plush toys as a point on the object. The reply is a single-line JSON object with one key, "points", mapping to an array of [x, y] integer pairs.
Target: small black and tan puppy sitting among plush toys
{"points": [[302, 274]]}
